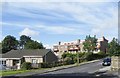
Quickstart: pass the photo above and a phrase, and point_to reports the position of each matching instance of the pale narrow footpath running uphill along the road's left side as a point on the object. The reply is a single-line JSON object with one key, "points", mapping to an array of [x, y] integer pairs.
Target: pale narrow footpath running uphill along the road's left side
{"points": [[41, 71]]}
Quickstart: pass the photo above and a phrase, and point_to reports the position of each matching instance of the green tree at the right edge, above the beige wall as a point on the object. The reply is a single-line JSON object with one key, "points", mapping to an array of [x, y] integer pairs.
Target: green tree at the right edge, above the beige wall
{"points": [[114, 47]]}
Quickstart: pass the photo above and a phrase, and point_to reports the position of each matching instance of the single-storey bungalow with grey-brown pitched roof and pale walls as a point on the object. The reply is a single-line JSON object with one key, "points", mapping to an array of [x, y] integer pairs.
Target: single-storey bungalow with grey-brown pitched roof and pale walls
{"points": [[17, 57]]}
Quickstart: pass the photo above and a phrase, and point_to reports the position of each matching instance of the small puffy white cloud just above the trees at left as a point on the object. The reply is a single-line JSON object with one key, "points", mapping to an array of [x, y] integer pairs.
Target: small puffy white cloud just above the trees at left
{"points": [[29, 32]]}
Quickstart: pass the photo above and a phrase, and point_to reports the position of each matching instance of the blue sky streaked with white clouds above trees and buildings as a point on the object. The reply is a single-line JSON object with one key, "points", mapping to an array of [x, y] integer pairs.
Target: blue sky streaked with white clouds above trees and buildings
{"points": [[51, 22]]}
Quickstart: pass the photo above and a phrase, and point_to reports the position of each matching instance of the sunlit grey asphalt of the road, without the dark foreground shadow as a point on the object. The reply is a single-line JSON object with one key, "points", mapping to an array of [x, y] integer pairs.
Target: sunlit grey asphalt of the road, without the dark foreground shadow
{"points": [[87, 68]]}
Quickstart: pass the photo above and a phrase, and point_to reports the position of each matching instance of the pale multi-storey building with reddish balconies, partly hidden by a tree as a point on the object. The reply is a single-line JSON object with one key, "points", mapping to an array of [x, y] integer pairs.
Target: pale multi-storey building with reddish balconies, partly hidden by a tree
{"points": [[77, 45]]}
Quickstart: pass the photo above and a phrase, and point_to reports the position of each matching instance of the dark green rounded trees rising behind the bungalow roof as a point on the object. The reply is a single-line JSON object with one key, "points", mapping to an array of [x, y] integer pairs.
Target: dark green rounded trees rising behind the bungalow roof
{"points": [[10, 42]]}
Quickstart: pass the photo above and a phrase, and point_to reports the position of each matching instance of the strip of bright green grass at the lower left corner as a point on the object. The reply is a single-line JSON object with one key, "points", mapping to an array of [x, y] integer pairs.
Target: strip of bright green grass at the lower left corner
{"points": [[11, 72]]}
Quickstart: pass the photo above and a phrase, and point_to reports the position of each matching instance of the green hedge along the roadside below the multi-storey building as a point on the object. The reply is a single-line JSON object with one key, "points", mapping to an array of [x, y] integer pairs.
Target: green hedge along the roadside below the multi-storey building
{"points": [[83, 56]]}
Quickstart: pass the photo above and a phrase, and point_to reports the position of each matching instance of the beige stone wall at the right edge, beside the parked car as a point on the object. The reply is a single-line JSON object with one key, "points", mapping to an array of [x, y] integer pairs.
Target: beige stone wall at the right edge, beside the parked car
{"points": [[115, 63]]}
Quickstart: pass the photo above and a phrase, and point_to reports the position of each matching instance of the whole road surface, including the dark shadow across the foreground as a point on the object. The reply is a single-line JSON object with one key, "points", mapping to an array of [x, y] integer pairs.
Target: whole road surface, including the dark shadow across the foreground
{"points": [[83, 71]]}
